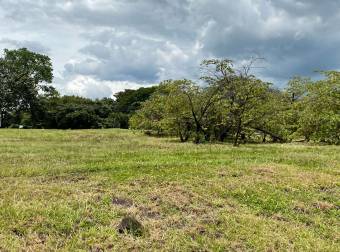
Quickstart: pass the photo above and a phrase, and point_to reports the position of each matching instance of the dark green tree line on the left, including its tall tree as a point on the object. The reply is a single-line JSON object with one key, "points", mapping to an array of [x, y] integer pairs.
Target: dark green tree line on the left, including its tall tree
{"points": [[27, 99]]}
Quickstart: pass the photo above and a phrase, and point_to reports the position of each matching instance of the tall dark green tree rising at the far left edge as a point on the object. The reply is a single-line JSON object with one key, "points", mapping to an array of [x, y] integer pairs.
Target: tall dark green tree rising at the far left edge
{"points": [[22, 74]]}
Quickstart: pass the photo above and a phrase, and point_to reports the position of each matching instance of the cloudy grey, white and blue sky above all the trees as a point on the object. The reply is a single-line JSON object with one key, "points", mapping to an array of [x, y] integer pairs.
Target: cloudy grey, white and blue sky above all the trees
{"points": [[102, 46]]}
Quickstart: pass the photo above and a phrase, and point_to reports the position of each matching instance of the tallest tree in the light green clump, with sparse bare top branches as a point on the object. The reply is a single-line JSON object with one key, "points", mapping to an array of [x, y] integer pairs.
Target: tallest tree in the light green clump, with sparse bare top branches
{"points": [[239, 93]]}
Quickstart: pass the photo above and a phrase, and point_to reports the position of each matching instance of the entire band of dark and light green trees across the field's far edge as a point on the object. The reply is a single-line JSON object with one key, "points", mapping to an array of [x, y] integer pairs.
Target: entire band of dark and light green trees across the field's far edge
{"points": [[230, 104]]}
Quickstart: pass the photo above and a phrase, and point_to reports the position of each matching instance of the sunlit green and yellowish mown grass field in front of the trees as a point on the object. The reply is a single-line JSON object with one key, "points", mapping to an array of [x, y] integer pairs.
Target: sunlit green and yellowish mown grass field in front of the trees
{"points": [[68, 190]]}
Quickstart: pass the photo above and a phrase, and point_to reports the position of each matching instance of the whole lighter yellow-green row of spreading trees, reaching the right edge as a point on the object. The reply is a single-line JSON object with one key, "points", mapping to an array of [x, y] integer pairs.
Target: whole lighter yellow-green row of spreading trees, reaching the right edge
{"points": [[234, 105]]}
